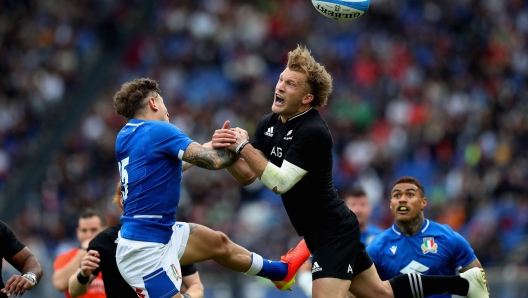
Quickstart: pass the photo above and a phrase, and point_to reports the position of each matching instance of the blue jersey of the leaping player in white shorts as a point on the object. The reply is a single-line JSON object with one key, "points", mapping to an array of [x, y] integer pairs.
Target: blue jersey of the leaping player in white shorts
{"points": [[149, 155]]}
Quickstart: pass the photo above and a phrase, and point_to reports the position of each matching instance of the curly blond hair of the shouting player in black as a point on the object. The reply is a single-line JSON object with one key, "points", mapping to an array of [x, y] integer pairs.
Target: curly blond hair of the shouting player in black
{"points": [[319, 80]]}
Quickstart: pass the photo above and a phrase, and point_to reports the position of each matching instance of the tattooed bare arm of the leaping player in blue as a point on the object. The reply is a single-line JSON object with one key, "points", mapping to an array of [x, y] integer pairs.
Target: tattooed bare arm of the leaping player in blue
{"points": [[211, 159]]}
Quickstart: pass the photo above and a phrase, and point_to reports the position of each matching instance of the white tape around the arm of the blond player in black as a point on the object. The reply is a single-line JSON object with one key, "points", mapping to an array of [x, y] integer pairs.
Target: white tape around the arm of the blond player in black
{"points": [[280, 180]]}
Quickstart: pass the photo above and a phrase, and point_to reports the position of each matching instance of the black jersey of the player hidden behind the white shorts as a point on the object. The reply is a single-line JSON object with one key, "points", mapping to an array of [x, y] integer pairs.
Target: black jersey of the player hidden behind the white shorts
{"points": [[115, 286]]}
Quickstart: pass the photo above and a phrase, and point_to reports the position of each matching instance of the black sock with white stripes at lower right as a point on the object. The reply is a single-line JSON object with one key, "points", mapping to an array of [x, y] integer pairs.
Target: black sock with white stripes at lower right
{"points": [[419, 286]]}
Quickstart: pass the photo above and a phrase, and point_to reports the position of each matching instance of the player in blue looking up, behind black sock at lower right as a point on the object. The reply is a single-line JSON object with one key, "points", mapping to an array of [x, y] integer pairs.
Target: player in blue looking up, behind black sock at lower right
{"points": [[416, 245]]}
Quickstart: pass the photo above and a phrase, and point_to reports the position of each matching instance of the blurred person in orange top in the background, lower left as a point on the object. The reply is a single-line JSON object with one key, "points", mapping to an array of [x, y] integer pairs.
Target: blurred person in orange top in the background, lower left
{"points": [[67, 264]]}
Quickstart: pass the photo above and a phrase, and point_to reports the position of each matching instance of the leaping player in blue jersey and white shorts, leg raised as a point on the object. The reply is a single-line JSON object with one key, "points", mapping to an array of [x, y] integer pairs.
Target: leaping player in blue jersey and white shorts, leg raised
{"points": [[152, 246]]}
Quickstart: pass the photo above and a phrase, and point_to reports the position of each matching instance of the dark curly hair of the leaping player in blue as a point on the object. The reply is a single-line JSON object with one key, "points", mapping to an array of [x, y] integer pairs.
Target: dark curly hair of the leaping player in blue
{"points": [[131, 98]]}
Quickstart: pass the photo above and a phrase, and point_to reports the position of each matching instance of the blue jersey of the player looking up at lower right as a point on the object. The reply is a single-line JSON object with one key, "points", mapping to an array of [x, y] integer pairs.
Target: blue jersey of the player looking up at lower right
{"points": [[435, 250]]}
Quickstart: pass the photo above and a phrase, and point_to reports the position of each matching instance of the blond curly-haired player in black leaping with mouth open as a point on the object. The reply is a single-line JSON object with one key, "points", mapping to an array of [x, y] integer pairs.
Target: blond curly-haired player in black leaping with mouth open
{"points": [[291, 153]]}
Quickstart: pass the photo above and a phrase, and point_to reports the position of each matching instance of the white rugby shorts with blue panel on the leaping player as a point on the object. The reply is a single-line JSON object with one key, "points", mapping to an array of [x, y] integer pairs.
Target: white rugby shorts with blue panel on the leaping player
{"points": [[153, 269]]}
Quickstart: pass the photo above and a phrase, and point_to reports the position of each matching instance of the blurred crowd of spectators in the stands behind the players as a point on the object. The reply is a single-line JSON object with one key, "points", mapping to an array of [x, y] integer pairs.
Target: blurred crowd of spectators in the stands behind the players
{"points": [[433, 89]]}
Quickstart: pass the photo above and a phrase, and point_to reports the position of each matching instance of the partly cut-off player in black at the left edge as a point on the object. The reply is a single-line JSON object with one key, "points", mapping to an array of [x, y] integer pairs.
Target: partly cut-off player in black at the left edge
{"points": [[18, 255]]}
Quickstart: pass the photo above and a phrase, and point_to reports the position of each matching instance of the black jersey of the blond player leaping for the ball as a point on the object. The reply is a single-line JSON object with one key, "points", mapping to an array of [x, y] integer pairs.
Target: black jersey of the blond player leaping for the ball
{"points": [[305, 141]]}
